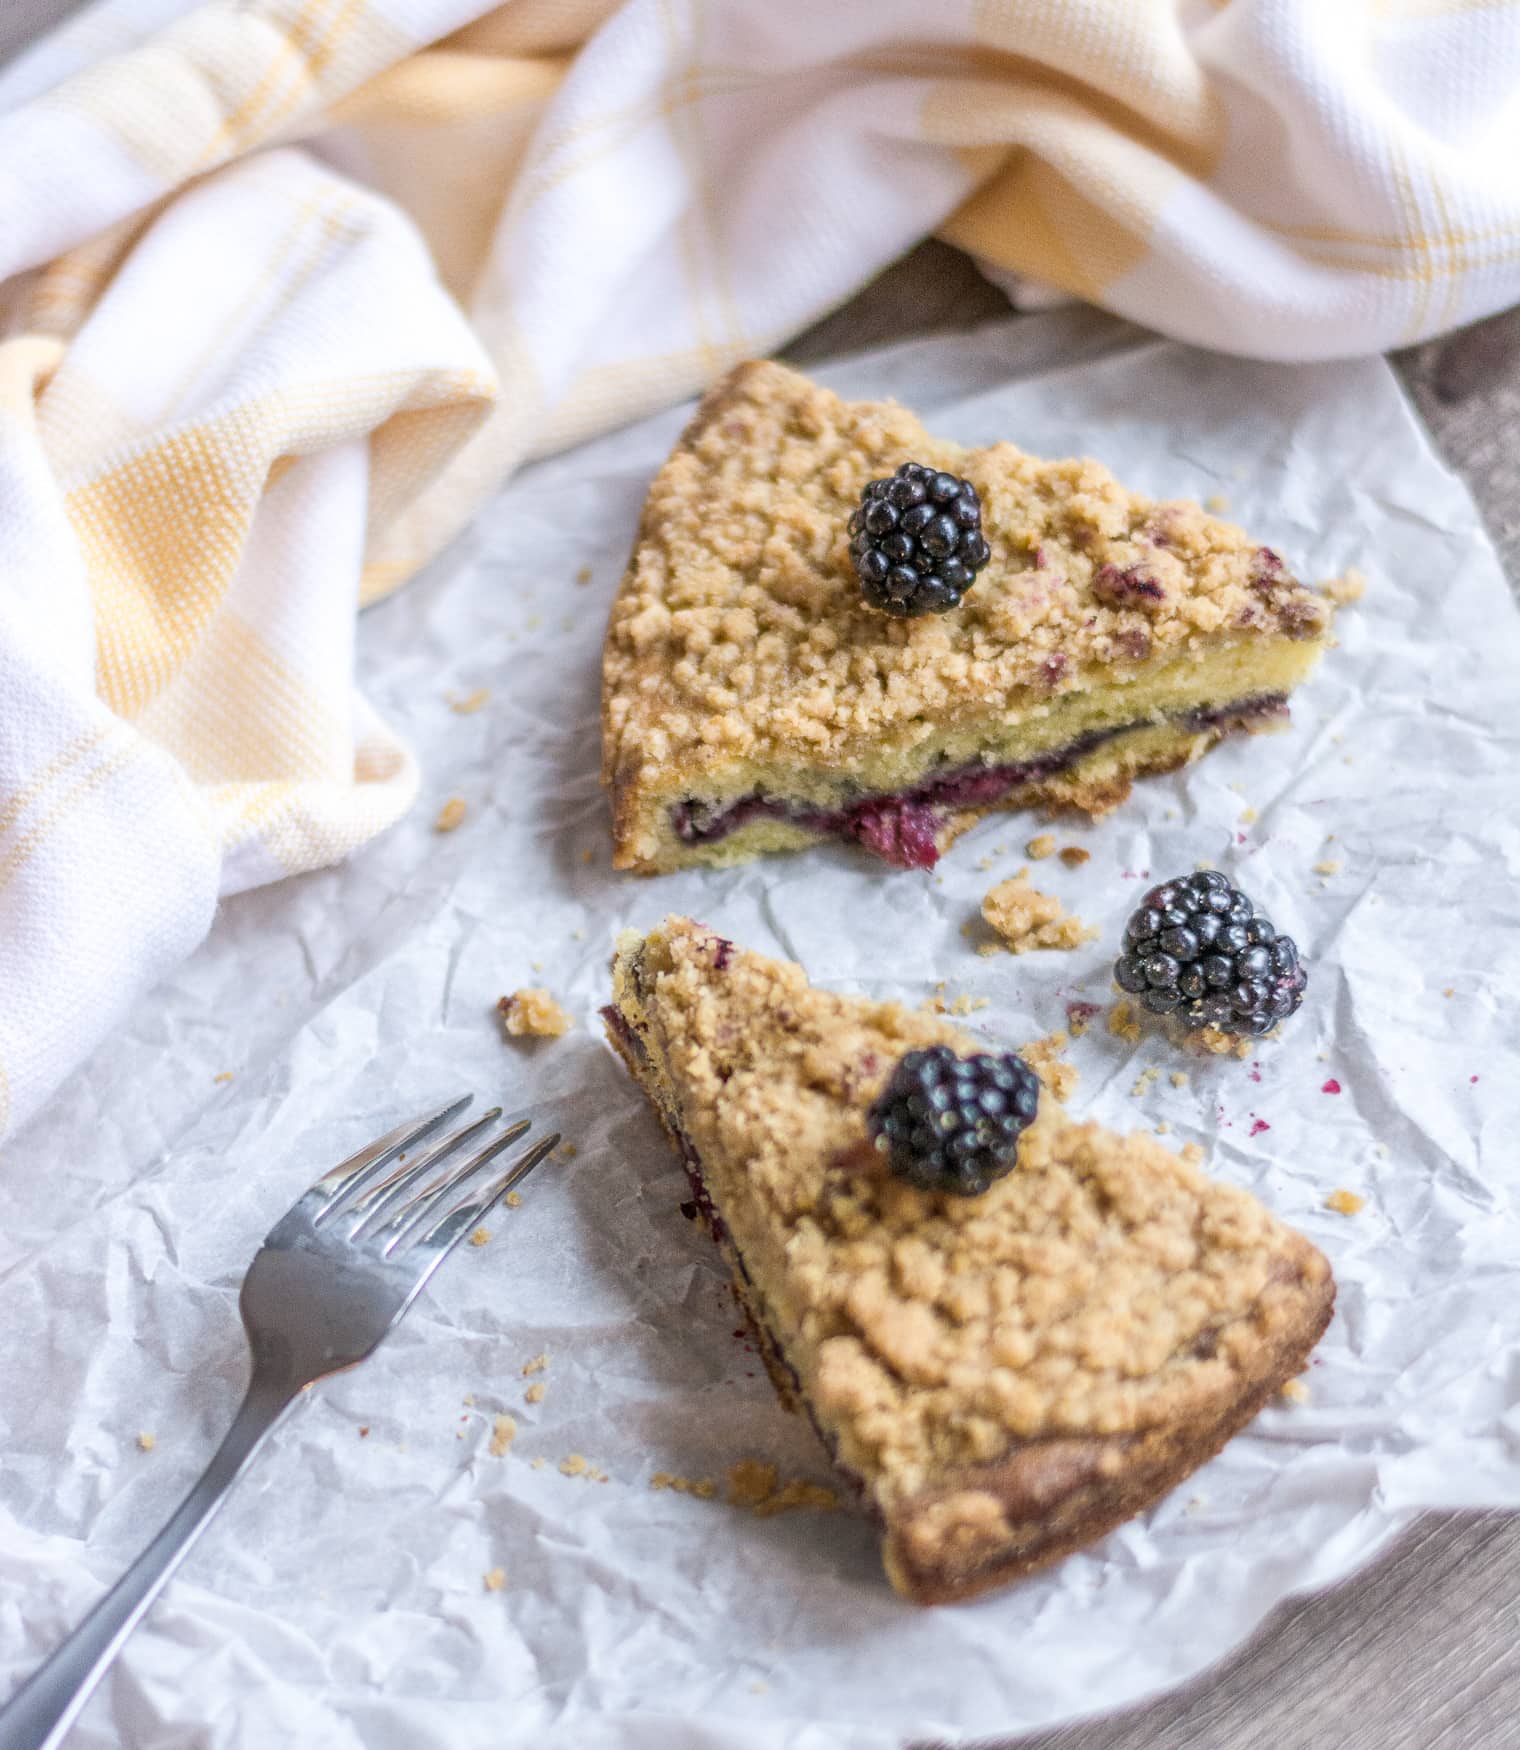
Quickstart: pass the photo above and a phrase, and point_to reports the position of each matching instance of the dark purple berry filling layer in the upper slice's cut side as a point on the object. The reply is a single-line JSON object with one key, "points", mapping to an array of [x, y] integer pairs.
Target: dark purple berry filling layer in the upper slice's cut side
{"points": [[903, 829]]}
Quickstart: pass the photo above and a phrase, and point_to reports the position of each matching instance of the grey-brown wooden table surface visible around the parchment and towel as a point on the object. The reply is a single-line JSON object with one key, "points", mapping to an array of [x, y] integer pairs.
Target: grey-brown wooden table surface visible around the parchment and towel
{"points": [[1423, 1649]]}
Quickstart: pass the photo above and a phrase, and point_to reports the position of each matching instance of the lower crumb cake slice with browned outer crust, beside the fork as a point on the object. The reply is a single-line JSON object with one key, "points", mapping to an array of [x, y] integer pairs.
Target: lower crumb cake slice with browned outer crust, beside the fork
{"points": [[1003, 1376]]}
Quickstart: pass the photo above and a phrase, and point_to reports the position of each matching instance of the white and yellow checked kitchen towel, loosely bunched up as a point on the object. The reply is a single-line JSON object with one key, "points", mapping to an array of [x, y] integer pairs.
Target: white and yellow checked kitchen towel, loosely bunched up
{"points": [[289, 286]]}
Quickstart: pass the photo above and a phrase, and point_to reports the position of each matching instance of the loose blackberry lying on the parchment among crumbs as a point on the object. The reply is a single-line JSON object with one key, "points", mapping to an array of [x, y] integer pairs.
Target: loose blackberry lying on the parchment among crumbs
{"points": [[1199, 949]]}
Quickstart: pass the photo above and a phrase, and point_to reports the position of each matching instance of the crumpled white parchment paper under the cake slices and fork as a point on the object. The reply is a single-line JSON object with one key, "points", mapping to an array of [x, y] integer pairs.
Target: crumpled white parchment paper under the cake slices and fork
{"points": [[342, 1599]]}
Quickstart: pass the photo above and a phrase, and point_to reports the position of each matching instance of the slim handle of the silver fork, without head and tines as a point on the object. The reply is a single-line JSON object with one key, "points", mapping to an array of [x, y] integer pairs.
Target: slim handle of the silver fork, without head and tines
{"points": [[45, 1707]]}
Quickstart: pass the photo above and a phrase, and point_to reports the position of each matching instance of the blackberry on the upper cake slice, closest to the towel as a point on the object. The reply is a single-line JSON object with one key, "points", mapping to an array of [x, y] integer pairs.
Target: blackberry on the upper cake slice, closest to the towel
{"points": [[917, 542]]}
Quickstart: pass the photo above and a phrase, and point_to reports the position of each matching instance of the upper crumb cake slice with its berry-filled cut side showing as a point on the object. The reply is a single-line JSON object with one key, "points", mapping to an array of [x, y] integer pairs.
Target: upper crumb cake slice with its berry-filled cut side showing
{"points": [[753, 701]]}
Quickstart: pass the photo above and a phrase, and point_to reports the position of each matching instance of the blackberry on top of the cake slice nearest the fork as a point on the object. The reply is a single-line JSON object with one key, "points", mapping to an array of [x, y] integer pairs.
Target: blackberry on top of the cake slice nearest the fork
{"points": [[952, 1124]]}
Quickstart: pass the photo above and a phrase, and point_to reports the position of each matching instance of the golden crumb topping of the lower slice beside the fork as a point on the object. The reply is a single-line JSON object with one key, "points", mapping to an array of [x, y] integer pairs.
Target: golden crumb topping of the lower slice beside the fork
{"points": [[1106, 1287]]}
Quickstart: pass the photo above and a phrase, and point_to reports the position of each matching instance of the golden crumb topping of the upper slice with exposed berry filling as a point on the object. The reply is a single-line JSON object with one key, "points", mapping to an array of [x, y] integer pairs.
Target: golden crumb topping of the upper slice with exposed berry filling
{"points": [[741, 634]]}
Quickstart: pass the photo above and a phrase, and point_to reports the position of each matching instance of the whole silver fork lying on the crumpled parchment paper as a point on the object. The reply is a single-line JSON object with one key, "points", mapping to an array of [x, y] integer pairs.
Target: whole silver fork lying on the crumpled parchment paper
{"points": [[333, 1278]]}
